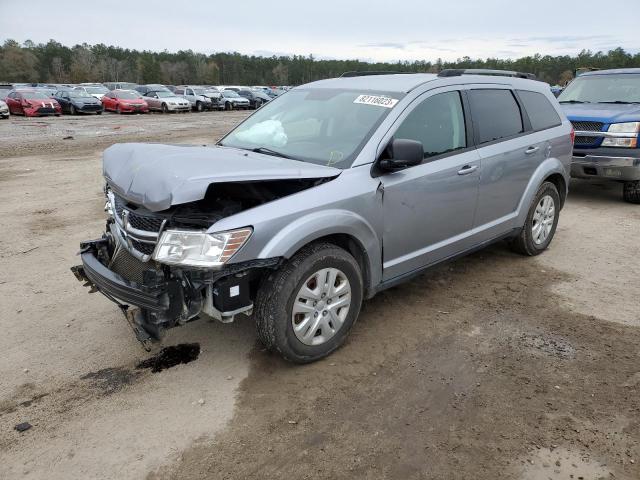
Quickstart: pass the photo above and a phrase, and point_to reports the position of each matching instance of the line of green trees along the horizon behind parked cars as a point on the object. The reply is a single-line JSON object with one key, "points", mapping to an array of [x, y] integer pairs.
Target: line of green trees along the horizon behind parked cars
{"points": [[53, 62]]}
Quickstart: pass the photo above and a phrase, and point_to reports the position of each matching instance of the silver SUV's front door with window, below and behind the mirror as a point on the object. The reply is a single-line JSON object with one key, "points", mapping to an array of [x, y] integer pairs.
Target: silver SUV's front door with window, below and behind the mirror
{"points": [[429, 208]]}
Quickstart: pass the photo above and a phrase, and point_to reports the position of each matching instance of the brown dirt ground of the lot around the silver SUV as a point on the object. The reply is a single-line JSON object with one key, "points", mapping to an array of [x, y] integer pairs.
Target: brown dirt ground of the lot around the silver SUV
{"points": [[492, 367]]}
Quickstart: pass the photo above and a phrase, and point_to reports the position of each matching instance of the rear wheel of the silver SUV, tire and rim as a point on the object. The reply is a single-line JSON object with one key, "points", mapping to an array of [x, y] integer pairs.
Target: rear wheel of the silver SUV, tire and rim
{"points": [[541, 223]]}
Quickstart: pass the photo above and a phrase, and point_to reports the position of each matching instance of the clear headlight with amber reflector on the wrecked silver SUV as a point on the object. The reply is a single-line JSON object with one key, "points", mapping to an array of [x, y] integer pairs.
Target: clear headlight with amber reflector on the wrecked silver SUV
{"points": [[199, 249]]}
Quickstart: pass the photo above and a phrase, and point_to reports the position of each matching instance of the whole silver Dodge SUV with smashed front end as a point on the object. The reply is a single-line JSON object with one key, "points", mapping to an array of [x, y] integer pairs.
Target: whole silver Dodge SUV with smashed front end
{"points": [[328, 194]]}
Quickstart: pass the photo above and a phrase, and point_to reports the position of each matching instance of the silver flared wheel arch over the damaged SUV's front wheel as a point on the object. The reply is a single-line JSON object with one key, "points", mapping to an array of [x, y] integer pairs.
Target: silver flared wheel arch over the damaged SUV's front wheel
{"points": [[320, 224]]}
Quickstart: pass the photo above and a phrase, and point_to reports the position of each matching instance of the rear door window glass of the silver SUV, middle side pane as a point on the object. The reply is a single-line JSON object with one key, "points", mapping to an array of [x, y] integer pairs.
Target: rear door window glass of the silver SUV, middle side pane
{"points": [[495, 113]]}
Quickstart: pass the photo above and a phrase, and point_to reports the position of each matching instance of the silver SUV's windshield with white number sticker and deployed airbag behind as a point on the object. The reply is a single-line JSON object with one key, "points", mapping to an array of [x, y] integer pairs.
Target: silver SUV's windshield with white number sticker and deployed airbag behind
{"points": [[321, 126]]}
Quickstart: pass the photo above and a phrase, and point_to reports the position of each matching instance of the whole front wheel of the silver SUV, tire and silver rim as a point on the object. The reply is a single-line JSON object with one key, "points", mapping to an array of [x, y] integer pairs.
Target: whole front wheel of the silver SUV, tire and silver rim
{"points": [[280, 290]]}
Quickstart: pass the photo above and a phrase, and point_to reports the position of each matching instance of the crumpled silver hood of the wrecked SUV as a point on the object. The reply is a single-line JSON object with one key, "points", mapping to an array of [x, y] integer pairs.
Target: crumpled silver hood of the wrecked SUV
{"points": [[159, 176]]}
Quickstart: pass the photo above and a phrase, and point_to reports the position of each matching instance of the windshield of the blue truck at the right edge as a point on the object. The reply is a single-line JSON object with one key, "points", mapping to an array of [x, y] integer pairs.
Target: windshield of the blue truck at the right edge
{"points": [[603, 89]]}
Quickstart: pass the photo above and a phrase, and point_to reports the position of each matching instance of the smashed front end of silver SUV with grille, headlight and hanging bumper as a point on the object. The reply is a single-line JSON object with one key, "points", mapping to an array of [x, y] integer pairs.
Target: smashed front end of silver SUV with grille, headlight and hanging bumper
{"points": [[123, 265]]}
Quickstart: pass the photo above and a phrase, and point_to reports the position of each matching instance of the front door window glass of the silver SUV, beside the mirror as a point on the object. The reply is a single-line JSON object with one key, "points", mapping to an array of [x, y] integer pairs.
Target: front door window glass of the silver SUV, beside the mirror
{"points": [[438, 122]]}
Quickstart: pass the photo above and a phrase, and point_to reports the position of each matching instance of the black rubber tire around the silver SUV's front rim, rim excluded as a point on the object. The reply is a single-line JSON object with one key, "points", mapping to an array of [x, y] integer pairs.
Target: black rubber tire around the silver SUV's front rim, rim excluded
{"points": [[278, 291]]}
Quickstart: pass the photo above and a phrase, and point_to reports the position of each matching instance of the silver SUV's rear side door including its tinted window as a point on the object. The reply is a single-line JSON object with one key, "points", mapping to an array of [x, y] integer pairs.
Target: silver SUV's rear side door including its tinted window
{"points": [[508, 153]]}
